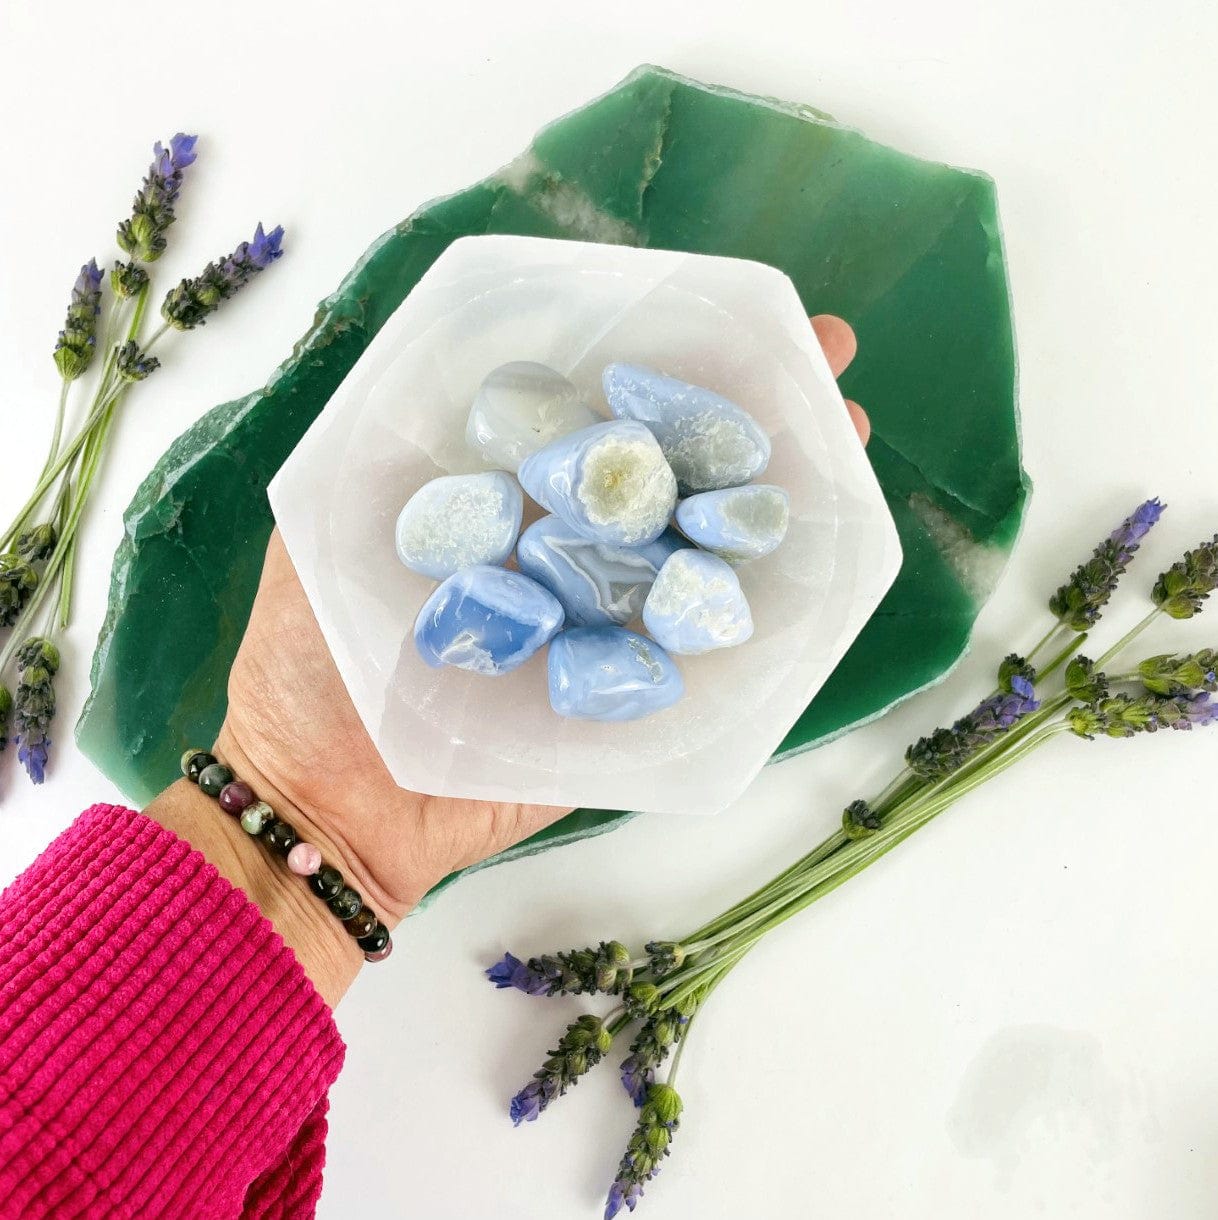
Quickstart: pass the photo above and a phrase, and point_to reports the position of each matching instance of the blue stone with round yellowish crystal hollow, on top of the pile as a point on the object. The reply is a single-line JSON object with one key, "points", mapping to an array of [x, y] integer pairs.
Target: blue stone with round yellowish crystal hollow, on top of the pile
{"points": [[608, 483]]}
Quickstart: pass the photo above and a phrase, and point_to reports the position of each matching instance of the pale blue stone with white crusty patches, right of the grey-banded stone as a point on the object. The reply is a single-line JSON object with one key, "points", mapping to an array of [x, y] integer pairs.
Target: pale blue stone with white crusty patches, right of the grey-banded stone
{"points": [[697, 605]]}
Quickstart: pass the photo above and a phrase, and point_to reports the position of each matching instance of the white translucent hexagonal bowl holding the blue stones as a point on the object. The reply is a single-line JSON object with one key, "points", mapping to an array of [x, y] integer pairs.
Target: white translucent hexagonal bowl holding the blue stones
{"points": [[398, 420]]}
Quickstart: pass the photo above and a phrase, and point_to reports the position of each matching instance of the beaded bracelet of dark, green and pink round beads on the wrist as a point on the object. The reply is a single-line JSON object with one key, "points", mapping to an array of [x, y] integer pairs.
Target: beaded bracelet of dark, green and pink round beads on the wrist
{"points": [[259, 820]]}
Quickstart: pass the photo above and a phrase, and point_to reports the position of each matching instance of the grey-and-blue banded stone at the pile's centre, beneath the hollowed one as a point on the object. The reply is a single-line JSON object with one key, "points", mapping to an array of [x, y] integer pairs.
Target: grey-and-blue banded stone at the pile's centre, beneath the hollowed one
{"points": [[599, 583]]}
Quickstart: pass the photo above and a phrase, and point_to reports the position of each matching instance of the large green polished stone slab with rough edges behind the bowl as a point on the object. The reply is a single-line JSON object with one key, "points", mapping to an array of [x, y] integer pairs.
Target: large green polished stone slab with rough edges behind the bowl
{"points": [[909, 251]]}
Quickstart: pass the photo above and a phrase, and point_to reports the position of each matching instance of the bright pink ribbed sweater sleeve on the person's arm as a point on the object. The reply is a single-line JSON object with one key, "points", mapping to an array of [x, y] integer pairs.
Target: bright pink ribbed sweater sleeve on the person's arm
{"points": [[162, 1051]]}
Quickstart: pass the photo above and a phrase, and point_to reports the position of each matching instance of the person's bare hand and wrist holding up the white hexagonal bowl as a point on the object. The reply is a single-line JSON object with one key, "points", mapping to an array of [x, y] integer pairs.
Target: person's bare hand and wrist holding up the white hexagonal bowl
{"points": [[294, 735]]}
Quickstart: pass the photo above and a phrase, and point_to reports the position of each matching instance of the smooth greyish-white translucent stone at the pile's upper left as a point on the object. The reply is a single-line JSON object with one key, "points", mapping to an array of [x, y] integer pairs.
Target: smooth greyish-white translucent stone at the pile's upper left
{"points": [[521, 408]]}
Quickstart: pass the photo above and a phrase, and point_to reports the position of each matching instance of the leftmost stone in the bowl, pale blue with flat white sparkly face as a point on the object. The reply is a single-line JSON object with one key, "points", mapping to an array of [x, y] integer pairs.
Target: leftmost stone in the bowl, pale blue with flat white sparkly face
{"points": [[458, 520]]}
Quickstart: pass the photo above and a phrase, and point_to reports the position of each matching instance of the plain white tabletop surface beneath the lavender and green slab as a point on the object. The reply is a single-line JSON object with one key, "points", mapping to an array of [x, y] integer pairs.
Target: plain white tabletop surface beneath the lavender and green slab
{"points": [[1014, 1016]]}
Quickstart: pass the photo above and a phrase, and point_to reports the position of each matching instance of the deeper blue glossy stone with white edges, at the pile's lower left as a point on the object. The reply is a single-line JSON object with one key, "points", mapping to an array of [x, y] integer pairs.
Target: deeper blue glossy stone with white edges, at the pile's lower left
{"points": [[488, 620]]}
